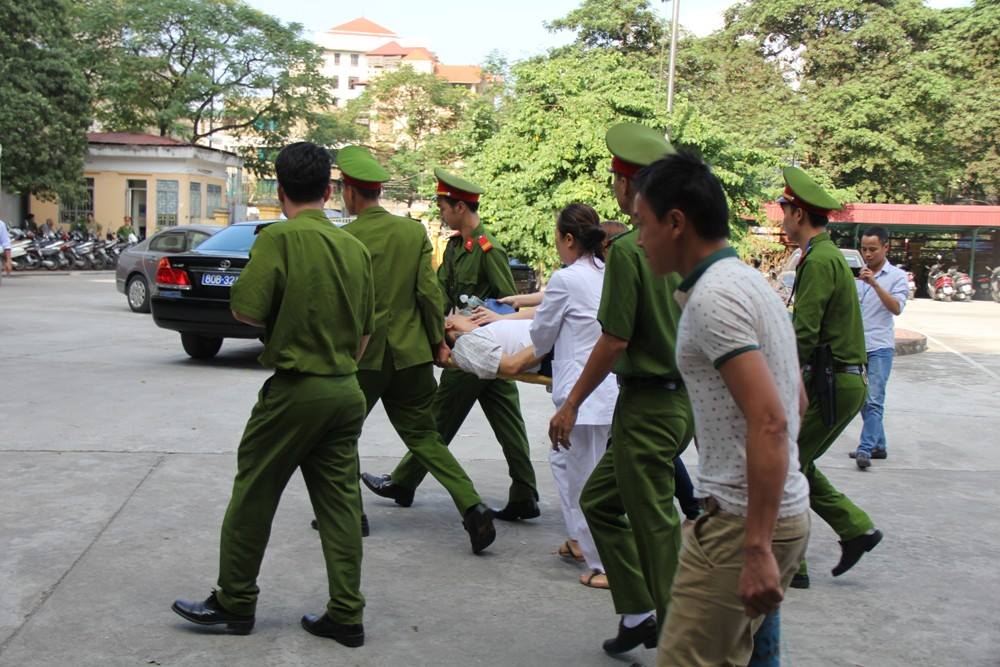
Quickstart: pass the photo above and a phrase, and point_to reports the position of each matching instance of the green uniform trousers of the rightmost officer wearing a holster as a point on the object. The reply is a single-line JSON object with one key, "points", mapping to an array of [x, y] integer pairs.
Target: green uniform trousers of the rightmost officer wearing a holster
{"points": [[846, 518]]}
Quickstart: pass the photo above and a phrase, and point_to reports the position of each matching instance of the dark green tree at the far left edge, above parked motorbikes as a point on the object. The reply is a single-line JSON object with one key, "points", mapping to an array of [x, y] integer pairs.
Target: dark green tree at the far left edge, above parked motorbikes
{"points": [[45, 108]]}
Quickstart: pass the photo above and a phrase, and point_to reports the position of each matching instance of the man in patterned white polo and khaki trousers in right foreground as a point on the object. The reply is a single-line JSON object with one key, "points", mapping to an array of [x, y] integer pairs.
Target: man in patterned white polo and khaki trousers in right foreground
{"points": [[736, 352]]}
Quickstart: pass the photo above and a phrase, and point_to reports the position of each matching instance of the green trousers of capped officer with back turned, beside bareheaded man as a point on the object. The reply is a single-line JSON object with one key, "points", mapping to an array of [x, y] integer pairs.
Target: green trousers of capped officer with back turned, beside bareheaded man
{"points": [[408, 398]]}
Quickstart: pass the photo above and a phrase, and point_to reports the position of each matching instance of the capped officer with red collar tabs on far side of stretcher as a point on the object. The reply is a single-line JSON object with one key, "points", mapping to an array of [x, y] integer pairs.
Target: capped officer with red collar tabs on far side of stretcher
{"points": [[474, 265]]}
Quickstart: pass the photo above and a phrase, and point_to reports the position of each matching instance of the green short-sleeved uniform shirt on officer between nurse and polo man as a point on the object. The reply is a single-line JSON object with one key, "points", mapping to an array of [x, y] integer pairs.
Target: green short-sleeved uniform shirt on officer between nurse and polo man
{"points": [[639, 307]]}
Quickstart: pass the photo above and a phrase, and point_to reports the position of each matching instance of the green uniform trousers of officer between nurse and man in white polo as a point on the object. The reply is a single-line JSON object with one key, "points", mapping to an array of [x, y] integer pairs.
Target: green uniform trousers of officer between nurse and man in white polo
{"points": [[635, 477]]}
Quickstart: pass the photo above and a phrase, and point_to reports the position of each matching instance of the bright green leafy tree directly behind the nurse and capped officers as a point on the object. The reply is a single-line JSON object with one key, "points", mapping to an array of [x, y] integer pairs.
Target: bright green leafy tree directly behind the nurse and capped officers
{"points": [[549, 151]]}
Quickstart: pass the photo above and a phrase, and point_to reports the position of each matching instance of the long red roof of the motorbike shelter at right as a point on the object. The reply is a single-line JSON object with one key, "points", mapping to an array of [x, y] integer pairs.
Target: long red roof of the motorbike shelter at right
{"points": [[925, 215]]}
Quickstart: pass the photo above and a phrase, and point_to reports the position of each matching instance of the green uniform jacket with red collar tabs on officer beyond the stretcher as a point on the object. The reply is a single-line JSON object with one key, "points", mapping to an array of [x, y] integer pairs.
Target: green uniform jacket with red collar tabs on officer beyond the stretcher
{"points": [[471, 268]]}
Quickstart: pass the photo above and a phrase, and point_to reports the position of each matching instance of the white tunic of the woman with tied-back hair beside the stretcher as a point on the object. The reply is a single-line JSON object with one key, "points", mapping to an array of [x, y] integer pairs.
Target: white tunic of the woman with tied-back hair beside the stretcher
{"points": [[566, 322]]}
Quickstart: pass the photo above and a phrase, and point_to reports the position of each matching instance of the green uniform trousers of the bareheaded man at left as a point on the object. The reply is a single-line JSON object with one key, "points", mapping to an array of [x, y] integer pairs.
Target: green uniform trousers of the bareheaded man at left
{"points": [[309, 422]]}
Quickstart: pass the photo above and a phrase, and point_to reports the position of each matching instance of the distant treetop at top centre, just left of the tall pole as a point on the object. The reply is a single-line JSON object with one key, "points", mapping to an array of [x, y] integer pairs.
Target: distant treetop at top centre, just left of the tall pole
{"points": [[623, 25]]}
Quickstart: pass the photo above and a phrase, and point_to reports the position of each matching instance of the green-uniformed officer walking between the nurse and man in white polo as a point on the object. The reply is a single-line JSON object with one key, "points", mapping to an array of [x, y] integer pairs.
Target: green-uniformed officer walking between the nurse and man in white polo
{"points": [[652, 423]]}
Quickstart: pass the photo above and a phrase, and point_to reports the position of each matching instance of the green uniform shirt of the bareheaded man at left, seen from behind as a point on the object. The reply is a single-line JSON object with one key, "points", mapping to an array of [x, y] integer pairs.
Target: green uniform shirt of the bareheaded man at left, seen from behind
{"points": [[311, 285]]}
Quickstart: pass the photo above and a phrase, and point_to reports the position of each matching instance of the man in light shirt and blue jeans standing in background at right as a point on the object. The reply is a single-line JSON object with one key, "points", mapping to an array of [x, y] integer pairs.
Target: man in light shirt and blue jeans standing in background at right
{"points": [[882, 290]]}
